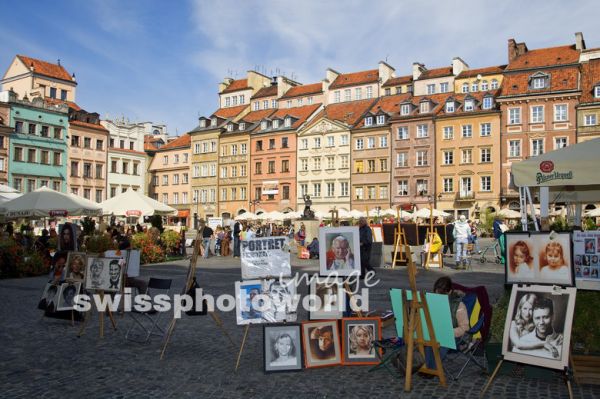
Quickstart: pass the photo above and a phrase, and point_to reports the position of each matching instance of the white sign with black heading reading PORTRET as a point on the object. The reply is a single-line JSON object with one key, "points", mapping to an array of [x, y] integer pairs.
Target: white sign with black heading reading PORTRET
{"points": [[265, 257]]}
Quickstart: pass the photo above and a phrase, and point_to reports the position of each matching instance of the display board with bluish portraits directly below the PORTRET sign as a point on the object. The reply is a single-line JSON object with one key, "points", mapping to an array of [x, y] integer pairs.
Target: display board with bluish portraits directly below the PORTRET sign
{"points": [[265, 301]]}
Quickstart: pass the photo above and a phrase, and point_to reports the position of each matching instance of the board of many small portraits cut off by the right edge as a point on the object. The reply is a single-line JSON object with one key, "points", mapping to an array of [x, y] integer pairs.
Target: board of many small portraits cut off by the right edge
{"points": [[586, 252]]}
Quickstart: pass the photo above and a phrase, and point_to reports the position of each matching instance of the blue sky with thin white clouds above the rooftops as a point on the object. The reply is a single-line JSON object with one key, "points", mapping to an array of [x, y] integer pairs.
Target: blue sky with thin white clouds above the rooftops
{"points": [[161, 61]]}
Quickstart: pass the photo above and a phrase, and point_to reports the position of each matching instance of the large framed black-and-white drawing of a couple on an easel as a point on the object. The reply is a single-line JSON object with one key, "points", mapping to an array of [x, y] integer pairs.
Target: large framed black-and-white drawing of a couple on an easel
{"points": [[538, 325]]}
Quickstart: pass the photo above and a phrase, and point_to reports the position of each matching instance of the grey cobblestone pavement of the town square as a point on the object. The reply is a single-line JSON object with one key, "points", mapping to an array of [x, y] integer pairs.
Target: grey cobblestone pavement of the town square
{"points": [[42, 357]]}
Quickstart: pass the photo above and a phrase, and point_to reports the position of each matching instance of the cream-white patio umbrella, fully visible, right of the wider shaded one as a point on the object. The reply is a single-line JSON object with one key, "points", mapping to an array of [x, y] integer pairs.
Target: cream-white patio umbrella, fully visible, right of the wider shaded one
{"points": [[134, 203]]}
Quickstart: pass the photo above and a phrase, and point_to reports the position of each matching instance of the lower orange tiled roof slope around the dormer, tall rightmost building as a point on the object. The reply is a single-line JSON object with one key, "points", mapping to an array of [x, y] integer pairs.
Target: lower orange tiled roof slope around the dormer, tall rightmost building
{"points": [[560, 79]]}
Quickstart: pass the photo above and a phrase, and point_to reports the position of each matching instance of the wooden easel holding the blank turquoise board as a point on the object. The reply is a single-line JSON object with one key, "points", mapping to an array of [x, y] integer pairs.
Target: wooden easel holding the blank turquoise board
{"points": [[411, 316]]}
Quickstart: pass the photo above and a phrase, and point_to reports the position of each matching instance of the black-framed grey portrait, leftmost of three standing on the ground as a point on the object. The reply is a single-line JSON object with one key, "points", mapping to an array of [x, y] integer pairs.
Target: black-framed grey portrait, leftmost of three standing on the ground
{"points": [[282, 348]]}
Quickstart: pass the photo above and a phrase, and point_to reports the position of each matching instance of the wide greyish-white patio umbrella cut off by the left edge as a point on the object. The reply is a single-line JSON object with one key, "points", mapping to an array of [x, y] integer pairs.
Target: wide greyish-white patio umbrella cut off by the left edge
{"points": [[45, 202]]}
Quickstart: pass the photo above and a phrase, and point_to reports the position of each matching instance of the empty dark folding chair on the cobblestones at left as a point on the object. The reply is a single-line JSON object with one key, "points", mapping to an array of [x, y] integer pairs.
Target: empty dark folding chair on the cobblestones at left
{"points": [[148, 322]]}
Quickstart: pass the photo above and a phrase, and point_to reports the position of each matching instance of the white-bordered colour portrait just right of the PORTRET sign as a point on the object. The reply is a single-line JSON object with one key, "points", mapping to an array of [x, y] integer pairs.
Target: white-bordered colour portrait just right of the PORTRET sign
{"points": [[339, 251]]}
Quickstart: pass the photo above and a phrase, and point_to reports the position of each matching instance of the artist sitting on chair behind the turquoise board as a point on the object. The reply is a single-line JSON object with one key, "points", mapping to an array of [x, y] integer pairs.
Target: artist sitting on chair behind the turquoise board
{"points": [[460, 318]]}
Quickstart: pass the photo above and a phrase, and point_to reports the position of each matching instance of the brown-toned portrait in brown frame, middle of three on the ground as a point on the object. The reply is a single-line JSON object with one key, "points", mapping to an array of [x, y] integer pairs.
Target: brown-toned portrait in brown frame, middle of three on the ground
{"points": [[321, 343]]}
